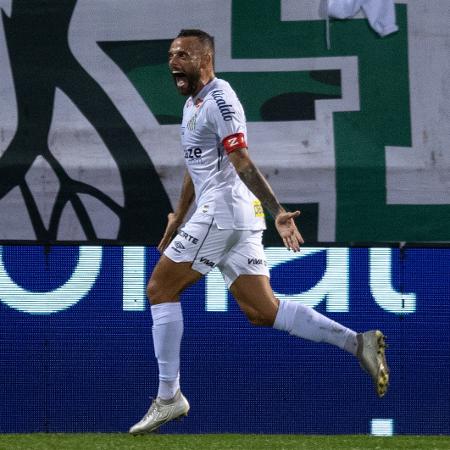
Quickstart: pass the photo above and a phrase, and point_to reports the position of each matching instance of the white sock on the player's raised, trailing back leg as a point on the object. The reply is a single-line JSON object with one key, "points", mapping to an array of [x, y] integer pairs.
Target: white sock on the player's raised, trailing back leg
{"points": [[303, 321]]}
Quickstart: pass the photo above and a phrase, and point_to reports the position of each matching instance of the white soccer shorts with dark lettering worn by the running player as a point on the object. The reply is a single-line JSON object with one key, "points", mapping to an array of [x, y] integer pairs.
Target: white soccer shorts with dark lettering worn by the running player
{"points": [[234, 252]]}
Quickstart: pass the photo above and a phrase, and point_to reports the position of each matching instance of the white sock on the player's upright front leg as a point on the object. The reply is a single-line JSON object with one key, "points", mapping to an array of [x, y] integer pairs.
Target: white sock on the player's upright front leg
{"points": [[167, 332]]}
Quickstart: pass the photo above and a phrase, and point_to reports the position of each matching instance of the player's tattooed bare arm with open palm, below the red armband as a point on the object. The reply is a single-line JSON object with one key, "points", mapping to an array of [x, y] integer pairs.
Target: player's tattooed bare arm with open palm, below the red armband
{"points": [[258, 185]]}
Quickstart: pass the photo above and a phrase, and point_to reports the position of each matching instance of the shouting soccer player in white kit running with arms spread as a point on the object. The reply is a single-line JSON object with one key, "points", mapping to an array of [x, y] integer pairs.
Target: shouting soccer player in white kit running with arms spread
{"points": [[226, 231]]}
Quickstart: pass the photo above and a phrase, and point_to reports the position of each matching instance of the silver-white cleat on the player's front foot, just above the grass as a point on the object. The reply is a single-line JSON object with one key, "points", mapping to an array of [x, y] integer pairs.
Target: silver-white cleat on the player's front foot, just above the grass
{"points": [[161, 412]]}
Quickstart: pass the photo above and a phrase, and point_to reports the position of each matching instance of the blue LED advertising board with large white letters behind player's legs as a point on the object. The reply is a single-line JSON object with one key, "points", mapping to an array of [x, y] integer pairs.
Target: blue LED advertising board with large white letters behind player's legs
{"points": [[76, 348]]}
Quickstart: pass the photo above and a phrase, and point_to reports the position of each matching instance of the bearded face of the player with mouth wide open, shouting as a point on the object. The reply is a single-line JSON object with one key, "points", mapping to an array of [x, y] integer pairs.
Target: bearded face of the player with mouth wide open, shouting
{"points": [[185, 63]]}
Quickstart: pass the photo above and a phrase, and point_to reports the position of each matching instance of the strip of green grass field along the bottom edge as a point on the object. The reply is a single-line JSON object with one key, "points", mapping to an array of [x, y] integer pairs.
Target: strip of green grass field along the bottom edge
{"points": [[98, 441]]}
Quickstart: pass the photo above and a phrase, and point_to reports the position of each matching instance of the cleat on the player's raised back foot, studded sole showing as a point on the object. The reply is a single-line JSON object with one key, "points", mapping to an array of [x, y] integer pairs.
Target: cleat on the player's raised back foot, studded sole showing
{"points": [[372, 359]]}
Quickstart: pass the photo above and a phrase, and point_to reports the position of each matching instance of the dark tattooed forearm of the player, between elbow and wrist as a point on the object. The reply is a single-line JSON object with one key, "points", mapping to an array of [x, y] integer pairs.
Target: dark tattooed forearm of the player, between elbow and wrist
{"points": [[255, 181]]}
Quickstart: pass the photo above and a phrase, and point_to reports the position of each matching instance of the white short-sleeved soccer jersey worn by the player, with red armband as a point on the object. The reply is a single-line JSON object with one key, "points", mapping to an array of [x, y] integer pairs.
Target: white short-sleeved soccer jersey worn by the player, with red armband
{"points": [[209, 118]]}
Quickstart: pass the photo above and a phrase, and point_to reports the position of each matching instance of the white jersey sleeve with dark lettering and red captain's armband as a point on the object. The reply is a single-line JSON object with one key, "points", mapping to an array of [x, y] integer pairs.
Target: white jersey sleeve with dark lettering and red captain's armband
{"points": [[227, 118]]}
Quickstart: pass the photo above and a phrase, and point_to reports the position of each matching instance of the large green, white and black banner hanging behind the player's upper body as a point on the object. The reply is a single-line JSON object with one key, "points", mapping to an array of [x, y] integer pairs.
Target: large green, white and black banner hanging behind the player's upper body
{"points": [[355, 135]]}
